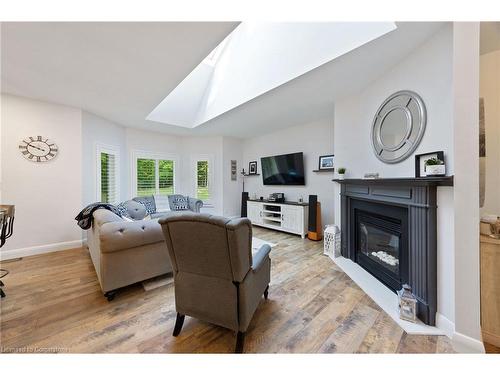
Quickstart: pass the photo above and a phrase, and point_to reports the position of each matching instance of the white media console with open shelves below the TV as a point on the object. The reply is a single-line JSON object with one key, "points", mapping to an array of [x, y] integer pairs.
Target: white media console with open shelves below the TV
{"points": [[288, 217]]}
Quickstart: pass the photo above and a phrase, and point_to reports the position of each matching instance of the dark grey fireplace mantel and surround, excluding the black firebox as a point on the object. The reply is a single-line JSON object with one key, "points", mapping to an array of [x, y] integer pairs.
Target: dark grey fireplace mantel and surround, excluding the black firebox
{"points": [[418, 197]]}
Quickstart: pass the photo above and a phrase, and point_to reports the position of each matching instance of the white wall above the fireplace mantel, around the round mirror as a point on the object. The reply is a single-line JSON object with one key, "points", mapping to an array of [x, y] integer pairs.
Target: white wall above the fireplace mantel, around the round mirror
{"points": [[425, 71]]}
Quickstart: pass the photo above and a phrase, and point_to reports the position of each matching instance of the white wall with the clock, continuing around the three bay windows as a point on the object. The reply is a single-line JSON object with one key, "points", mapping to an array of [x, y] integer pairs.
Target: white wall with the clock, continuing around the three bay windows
{"points": [[49, 195]]}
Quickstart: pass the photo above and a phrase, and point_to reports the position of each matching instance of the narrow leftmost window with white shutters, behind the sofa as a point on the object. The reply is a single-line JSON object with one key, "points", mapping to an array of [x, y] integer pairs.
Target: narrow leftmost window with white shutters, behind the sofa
{"points": [[108, 190]]}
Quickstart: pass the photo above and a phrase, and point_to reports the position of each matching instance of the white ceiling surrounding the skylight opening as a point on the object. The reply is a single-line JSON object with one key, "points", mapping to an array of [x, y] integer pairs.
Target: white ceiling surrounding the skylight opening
{"points": [[121, 71]]}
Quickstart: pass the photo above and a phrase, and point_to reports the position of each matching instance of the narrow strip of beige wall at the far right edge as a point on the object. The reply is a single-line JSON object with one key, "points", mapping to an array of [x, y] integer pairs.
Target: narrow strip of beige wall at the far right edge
{"points": [[489, 89]]}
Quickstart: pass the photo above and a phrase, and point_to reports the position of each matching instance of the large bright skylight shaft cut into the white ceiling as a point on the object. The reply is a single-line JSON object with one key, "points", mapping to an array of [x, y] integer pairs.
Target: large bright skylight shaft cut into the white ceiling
{"points": [[256, 58]]}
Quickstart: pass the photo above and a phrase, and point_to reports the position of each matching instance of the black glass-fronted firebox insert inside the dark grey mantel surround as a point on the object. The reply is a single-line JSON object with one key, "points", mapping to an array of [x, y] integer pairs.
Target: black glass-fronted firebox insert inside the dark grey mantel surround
{"points": [[381, 241]]}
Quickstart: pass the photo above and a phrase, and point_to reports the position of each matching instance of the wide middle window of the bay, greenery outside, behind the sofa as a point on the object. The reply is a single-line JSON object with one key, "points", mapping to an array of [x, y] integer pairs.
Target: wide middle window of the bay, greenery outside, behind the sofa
{"points": [[155, 175]]}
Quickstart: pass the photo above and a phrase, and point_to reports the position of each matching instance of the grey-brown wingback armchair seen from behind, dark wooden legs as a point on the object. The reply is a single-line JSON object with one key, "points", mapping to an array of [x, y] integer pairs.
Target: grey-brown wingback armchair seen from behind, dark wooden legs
{"points": [[215, 276]]}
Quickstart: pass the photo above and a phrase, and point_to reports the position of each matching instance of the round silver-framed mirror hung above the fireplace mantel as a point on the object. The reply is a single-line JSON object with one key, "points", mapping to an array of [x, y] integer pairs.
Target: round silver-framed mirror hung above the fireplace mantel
{"points": [[398, 126]]}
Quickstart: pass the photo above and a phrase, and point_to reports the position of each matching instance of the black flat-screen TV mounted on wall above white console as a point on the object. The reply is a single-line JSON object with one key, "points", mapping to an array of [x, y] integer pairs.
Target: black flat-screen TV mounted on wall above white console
{"points": [[283, 169]]}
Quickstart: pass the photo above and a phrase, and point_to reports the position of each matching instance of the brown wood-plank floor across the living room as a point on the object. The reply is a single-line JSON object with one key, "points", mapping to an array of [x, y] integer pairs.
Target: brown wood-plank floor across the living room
{"points": [[54, 304]]}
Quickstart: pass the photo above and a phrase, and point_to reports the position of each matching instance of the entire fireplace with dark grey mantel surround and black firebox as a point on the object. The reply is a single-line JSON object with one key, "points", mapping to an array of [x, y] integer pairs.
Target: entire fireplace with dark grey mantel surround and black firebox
{"points": [[389, 229]]}
